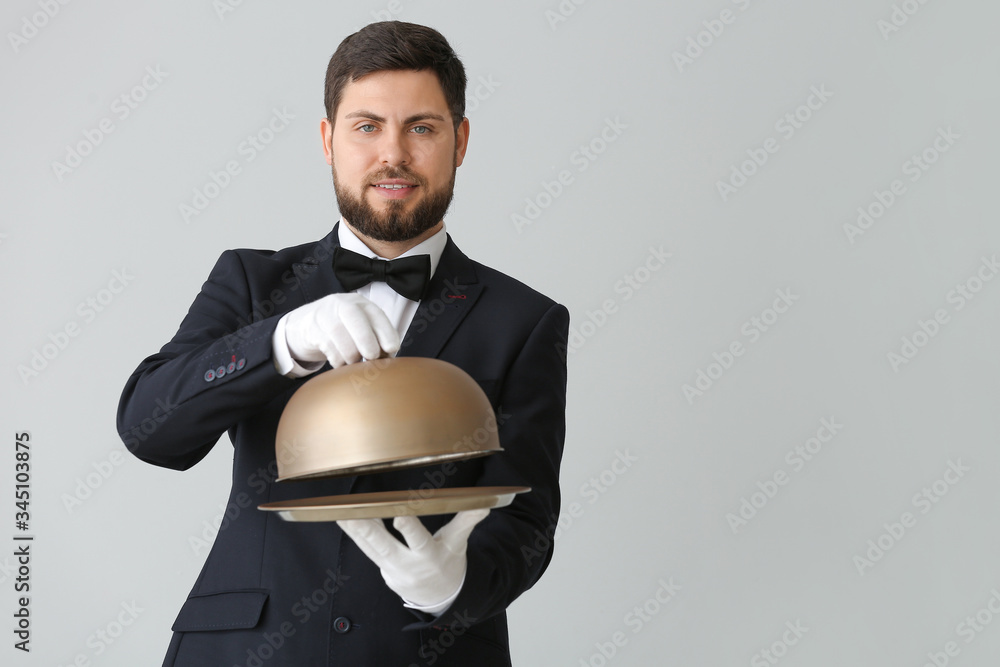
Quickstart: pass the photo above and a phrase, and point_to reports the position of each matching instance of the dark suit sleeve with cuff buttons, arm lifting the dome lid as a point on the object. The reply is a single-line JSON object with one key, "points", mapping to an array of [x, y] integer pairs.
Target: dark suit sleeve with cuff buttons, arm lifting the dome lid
{"points": [[215, 371]]}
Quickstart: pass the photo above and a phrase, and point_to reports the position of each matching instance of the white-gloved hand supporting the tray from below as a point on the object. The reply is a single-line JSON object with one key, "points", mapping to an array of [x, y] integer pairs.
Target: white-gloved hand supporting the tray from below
{"points": [[431, 569]]}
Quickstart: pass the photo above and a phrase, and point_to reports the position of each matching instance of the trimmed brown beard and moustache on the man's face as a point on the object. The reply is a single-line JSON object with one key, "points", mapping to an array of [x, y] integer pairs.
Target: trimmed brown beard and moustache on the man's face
{"points": [[394, 223]]}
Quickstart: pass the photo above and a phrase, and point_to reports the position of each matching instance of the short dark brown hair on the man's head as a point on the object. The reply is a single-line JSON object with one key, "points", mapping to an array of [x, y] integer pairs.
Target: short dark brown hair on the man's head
{"points": [[395, 45]]}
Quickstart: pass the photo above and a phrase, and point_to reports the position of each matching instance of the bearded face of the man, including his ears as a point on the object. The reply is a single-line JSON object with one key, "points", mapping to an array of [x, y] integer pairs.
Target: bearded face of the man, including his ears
{"points": [[394, 151]]}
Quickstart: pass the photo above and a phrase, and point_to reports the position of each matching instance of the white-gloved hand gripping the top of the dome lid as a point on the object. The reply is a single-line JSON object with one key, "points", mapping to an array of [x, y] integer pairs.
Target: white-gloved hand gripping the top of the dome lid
{"points": [[341, 329]]}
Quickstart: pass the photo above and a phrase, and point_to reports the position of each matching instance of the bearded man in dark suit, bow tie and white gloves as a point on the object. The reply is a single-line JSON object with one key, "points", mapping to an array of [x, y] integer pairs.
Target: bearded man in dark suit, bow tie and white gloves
{"points": [[280, 593]]}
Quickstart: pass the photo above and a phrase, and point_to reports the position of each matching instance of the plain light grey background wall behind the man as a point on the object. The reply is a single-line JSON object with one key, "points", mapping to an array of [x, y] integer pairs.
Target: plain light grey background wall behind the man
{"points": [[554, 86]]}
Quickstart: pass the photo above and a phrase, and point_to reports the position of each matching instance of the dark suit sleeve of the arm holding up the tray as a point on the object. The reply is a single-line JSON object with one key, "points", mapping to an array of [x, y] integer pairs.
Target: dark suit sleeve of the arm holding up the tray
{"points": [[512, 547]]}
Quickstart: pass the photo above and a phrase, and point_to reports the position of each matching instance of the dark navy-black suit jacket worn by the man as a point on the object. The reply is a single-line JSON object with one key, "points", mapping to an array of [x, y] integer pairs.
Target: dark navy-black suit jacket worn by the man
{"points": [[278, 593]]}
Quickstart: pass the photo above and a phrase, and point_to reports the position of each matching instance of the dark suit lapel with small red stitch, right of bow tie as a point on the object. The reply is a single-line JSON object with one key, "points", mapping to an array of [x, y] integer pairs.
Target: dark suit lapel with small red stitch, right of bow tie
{"points": [[451, 294]]}
